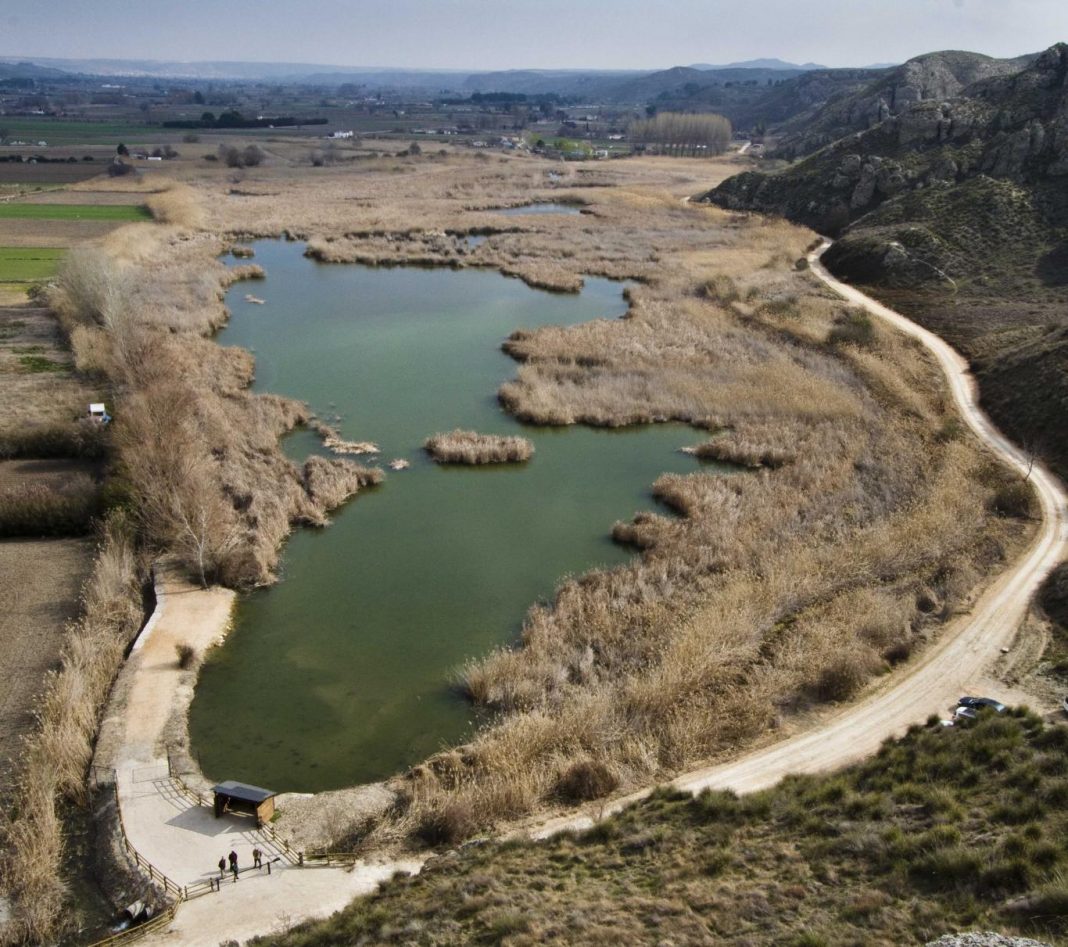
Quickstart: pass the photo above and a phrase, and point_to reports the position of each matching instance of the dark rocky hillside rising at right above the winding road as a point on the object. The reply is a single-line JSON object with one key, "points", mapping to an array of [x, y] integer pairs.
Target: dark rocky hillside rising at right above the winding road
{"points": [[956, 212]]}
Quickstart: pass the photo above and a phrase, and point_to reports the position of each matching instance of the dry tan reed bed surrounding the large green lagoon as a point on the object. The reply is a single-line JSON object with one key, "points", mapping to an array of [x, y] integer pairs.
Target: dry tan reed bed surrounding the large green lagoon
{"points": [[789, 586]]}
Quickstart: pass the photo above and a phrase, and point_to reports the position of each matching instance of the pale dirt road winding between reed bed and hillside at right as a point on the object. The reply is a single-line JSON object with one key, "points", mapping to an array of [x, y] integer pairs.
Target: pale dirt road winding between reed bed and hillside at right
{"points": [[966, 650]]}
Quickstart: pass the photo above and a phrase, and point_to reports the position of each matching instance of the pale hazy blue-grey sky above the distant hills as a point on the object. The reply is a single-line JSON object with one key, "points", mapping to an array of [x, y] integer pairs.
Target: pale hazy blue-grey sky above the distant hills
{"points": [[493, 35]]}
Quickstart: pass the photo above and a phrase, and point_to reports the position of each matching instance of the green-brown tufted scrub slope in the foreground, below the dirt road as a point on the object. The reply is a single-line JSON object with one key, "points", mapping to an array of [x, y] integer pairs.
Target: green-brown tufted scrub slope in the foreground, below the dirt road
{"points": [[943, 831]]}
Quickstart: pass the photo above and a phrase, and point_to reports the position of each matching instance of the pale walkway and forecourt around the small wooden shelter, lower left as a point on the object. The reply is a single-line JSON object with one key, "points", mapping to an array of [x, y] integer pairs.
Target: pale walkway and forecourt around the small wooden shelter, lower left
{"points": [[184, 841]]}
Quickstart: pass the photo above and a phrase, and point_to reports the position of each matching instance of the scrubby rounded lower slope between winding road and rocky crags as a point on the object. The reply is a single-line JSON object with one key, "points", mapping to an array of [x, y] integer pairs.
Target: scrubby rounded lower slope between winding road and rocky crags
{"points": [[1004, 246]]}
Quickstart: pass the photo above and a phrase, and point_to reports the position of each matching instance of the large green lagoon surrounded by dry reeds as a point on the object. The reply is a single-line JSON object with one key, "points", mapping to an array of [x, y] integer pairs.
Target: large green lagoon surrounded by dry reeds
{"points": [[344, 672]]}
